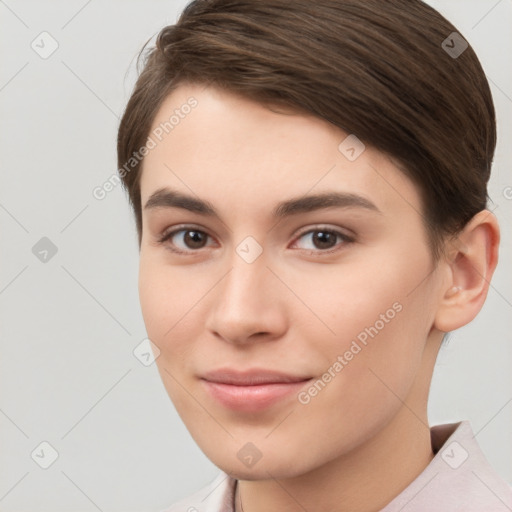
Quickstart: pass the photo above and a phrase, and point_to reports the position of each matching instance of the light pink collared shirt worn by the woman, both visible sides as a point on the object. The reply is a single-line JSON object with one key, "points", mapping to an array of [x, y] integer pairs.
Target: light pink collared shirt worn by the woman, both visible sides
{"points": [[458, 479]]}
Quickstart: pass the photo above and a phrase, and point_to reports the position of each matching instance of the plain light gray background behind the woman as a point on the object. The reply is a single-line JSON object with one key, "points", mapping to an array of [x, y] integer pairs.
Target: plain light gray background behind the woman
{"points": [[68, 326]]}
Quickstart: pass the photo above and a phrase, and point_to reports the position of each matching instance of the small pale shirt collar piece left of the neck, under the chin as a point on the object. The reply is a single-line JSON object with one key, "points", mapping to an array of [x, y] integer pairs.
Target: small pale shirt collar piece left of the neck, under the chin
{"points": [[217, 496]]}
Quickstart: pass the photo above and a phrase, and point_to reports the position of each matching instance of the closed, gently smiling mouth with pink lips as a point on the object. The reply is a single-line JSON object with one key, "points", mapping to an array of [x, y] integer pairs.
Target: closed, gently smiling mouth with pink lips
{"points": [[251, 390]]}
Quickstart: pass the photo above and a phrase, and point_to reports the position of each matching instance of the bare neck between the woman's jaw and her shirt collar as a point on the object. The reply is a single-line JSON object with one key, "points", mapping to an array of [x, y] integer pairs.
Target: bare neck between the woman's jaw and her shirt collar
{"points": [[365, 480]]}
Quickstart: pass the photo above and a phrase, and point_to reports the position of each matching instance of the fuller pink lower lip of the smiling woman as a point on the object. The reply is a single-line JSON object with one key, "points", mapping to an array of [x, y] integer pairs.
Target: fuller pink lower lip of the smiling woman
{"points": [[252, 398]]}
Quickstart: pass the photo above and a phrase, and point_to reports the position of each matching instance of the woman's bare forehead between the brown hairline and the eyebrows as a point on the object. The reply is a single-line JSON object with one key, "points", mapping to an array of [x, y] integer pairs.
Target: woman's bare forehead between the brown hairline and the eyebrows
{"points": [[238, 153]]}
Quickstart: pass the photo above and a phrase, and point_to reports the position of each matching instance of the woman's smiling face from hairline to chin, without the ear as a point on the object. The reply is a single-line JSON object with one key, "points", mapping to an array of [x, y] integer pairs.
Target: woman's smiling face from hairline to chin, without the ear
{"points": [[285, 279]]}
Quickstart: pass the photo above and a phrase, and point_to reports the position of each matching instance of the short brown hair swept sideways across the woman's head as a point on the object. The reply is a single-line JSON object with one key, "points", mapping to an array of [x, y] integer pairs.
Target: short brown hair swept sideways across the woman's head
{"points": [[379, 69]]}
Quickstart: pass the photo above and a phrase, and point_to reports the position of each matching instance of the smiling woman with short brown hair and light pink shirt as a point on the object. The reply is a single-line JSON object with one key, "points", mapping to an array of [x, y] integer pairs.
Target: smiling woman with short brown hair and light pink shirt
{"points": [[309, 183]]}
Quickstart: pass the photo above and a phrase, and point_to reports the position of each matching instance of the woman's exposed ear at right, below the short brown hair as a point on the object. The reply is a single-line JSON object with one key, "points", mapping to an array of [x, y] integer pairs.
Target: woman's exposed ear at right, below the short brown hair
{"points": [[471, 258]]}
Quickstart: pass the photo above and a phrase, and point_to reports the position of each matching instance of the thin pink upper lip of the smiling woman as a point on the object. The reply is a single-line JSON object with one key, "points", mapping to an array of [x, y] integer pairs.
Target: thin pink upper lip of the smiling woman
{"points": [[251, 377]]}
